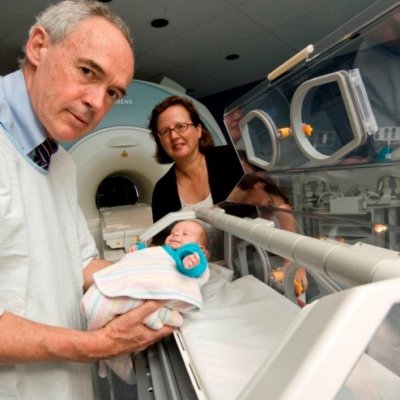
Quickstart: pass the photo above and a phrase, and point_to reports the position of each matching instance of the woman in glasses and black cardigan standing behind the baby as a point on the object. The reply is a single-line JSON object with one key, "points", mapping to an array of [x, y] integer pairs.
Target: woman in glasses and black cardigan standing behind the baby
{"points": [[202, 174]]}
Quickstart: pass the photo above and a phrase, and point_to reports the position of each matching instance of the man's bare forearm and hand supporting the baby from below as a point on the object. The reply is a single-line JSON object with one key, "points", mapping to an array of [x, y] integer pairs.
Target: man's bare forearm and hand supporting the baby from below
{"points": [[22, 340]]}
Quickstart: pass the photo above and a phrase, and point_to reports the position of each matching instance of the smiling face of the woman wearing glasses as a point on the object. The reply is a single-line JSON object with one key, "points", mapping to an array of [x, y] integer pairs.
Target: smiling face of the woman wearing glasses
{"points": [[178, 145]]}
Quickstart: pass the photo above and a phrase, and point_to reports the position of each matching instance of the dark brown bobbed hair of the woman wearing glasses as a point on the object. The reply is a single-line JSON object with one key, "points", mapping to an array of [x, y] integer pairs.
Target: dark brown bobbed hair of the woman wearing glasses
{"points": [[206, 139]]}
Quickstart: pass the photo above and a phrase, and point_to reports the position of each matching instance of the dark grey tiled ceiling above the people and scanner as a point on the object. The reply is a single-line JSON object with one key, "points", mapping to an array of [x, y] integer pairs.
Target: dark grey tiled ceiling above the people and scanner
{"points": [[191, 50]]}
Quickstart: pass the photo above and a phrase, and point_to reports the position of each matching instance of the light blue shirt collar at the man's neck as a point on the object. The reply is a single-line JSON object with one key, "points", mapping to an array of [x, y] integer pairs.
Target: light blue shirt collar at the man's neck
{"points": [[16, 112]]}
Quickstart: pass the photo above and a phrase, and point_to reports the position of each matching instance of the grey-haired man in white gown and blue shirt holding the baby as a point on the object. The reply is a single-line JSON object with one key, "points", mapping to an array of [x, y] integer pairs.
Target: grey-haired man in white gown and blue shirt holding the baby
{"points": [[78, 62]]}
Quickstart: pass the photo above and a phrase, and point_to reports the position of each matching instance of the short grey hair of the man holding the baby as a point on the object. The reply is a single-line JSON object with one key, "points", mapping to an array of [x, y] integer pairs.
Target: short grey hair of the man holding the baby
{"points": [[59, 19]]}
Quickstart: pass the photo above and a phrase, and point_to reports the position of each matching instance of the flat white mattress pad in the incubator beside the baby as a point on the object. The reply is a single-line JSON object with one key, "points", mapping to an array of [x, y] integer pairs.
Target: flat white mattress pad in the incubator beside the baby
{"points": [[240, 323]]}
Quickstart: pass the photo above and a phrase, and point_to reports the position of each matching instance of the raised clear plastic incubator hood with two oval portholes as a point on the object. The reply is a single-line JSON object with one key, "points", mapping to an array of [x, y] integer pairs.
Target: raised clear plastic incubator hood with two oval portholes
{"points": [[326, 127]]}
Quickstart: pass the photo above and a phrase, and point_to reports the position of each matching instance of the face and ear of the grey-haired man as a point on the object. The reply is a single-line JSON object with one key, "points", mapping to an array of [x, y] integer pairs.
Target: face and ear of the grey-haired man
{"points": [[74, 83]]}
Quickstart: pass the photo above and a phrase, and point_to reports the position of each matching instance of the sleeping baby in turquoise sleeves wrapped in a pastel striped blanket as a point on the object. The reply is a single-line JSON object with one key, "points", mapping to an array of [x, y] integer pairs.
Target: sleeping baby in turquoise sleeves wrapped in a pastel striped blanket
{"points": [[173, 272]]}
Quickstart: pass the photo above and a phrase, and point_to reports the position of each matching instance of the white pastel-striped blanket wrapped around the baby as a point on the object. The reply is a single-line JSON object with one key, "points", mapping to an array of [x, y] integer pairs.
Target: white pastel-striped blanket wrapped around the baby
{"points": [[150, 273]]}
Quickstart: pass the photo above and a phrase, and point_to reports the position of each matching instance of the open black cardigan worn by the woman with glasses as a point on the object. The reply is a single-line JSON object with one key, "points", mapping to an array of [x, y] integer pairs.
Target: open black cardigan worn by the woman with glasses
{"points": [[224, 172]]}
